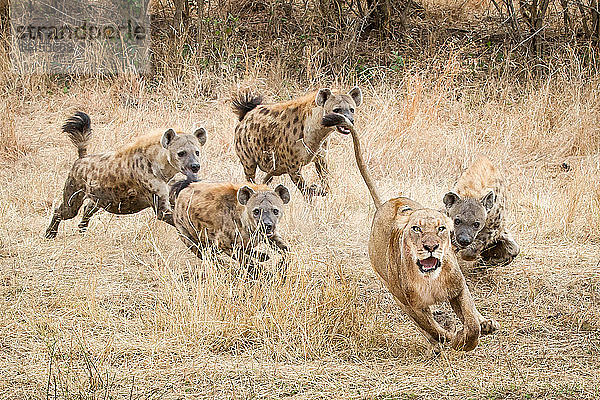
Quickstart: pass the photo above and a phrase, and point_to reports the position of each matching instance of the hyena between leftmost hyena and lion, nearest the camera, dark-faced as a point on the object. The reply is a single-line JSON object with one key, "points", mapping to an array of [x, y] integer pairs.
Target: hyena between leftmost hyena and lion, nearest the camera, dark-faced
{"points": [[210, 214]]}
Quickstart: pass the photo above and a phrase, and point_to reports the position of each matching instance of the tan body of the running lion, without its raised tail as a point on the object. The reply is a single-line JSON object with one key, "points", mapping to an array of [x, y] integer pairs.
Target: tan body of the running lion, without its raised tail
{"points": [[394, 248]]}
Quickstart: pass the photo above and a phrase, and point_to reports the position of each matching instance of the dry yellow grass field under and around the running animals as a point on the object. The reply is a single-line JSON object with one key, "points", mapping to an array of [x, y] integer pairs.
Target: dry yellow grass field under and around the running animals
{"points": [[125, 311]]}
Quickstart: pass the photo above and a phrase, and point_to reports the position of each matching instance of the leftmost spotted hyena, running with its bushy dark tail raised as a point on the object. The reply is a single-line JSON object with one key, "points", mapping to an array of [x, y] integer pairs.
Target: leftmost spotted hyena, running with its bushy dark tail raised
{"points": [[127, 180]]}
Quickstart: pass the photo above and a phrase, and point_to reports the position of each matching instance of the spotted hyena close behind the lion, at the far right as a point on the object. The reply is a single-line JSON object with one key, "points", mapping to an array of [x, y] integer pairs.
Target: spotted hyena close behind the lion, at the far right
{"points": [[476, 205]]}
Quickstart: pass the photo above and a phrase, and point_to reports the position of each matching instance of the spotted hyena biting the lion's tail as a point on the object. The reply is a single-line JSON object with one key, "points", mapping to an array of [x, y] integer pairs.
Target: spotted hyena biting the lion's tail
{"points": [[282, 138]]}
